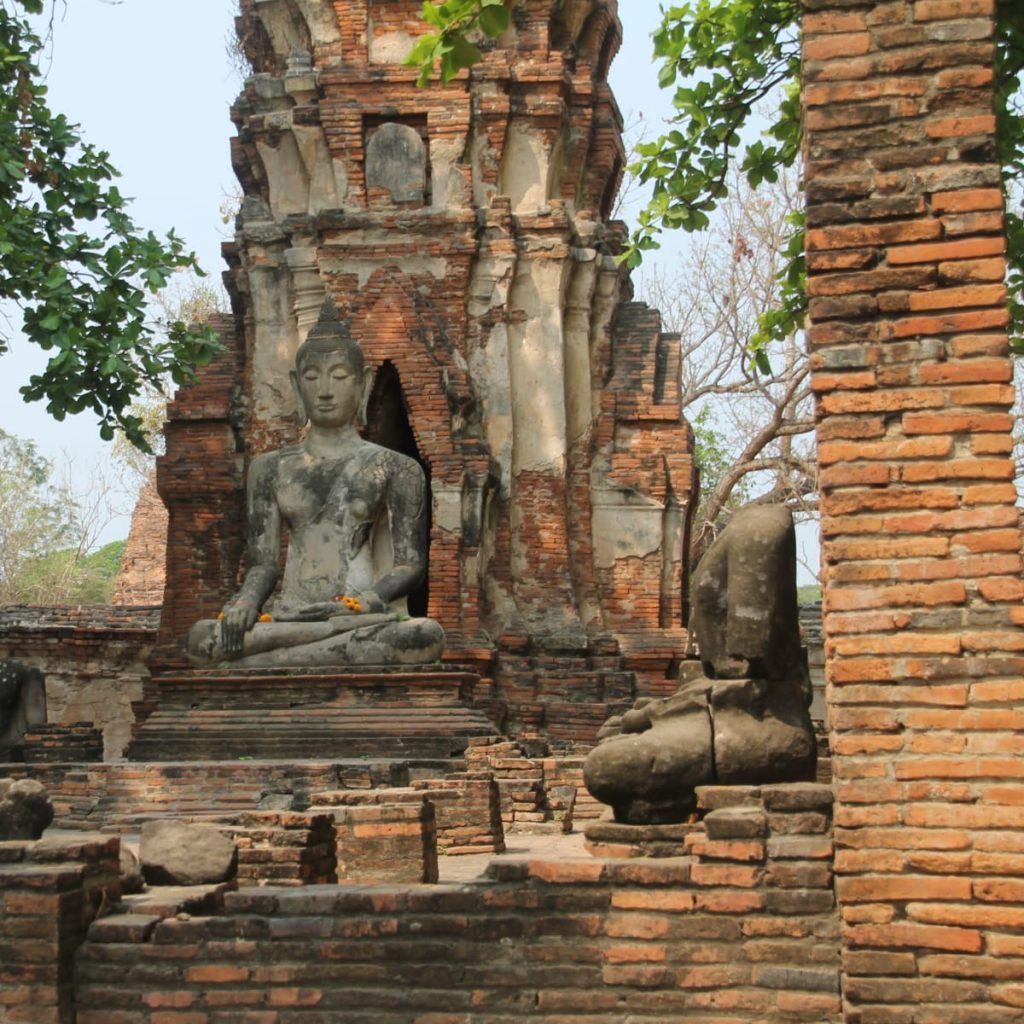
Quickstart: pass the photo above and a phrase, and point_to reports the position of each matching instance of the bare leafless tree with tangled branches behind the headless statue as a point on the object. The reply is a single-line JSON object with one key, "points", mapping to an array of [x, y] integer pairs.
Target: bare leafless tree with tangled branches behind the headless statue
{"points": [[753, 429]]}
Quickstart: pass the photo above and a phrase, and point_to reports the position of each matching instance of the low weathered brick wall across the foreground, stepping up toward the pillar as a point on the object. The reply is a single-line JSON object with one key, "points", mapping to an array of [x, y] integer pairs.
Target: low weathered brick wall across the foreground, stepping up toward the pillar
{"points": [[712, 936]]}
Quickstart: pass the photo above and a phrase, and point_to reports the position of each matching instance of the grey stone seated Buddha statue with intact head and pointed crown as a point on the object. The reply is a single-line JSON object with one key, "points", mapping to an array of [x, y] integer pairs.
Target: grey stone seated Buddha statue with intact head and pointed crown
{"points": [[357, 523]]}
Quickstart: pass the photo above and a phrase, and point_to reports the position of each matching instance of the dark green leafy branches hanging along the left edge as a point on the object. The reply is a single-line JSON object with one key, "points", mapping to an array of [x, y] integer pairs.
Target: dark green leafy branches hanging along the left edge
{"points": [[72, 258]]}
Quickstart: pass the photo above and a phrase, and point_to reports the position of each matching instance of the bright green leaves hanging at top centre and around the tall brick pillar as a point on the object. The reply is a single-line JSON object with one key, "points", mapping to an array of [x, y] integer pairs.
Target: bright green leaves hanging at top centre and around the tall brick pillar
{"points": [[721, 59]]}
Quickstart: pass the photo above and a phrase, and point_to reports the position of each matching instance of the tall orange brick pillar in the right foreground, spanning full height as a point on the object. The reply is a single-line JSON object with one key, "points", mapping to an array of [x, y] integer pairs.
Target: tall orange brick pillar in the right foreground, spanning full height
{"points": [[922, 545]]}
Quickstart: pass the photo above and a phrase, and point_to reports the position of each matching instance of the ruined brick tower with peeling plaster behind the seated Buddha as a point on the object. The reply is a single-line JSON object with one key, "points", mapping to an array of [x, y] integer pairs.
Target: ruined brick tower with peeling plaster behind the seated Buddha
{"points": [[464, 231]]}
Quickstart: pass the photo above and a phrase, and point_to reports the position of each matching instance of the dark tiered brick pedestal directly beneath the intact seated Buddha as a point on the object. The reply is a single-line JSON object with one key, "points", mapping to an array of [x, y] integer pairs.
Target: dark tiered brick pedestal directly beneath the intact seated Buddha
{"points": [[387, 713]]}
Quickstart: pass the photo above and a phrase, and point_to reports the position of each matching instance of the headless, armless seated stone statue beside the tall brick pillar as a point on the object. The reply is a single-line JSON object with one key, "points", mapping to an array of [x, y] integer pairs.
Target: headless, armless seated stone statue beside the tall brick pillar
{"points": [[740, 719]]}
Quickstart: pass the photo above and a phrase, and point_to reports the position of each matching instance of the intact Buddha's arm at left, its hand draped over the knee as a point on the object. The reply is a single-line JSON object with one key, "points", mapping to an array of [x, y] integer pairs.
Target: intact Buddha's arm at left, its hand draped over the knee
{"points": [[264, 522]]}
